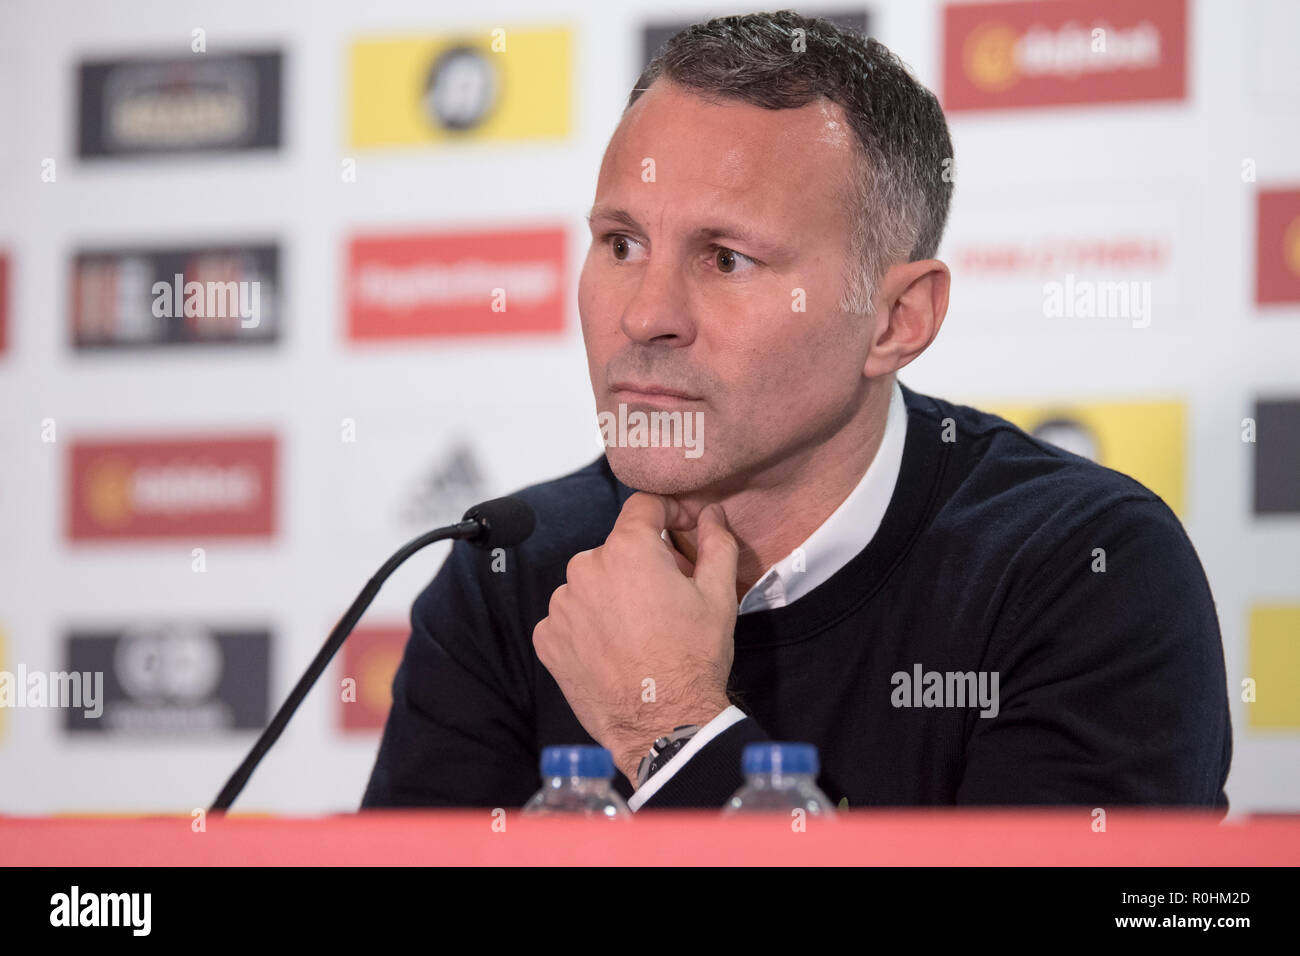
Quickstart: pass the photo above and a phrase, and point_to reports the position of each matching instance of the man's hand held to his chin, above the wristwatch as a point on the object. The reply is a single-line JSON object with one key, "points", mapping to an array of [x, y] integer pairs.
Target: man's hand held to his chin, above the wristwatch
{"points": [[639, 641]]}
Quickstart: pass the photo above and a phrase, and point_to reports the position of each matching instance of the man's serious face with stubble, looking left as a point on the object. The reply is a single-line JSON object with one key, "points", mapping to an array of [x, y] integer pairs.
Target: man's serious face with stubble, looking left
{"points": [[720, 240]]}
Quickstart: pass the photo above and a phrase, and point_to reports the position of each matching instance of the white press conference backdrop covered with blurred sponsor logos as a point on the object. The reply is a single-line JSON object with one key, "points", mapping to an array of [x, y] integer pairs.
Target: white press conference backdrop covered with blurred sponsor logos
{"points": [[192, 496]]}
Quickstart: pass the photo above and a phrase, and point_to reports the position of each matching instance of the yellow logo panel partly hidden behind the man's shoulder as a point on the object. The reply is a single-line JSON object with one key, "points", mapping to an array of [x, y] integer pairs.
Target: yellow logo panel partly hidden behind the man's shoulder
{"points": [[1143, 440]]}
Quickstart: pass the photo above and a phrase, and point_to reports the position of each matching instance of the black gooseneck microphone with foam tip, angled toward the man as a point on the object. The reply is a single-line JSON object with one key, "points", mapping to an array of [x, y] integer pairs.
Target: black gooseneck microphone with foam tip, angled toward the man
{"points": [[497, 524]]}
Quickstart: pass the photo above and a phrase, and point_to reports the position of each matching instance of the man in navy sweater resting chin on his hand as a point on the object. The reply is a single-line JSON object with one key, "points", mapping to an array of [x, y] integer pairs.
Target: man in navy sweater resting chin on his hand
{"points": [[951, 611]]}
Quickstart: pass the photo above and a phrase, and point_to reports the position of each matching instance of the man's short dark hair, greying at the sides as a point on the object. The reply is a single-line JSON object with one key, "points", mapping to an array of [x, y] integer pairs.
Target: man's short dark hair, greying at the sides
{"points": [[785, 62]]}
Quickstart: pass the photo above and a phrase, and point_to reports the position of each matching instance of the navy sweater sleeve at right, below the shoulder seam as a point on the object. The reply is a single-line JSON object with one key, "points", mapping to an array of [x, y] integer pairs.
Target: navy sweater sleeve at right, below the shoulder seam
{"points": [[1112, 680]]}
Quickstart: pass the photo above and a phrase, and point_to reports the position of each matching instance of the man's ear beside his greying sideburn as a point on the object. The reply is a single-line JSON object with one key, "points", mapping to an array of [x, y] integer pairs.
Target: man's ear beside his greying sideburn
{"points": [[911, 308]]}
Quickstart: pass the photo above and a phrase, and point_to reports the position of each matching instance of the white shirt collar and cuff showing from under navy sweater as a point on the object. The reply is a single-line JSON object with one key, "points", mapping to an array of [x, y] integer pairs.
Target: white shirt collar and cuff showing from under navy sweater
{"points": [[837, 542]]}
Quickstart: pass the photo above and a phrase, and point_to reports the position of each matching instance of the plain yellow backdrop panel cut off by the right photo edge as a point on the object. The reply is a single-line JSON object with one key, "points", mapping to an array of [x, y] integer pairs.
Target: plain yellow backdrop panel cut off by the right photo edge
{"points": [[1273, 663]]}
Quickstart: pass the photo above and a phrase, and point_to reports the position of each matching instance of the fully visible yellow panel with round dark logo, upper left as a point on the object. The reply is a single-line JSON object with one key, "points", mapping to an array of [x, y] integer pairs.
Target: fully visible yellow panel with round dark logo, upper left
{"points": [[496, 85]]}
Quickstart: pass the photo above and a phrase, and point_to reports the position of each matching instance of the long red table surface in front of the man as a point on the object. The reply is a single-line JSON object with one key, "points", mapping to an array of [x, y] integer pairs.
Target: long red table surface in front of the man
{"points": [[987, 838]]}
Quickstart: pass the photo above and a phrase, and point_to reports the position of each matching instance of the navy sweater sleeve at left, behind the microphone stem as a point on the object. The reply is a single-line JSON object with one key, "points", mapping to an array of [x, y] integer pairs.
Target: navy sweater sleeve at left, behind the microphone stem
{"points": [[460, 732]]}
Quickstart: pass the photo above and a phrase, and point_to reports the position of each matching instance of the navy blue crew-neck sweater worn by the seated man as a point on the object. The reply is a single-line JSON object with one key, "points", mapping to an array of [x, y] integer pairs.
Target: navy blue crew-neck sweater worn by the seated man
{"points": [[1111, 682]]}
